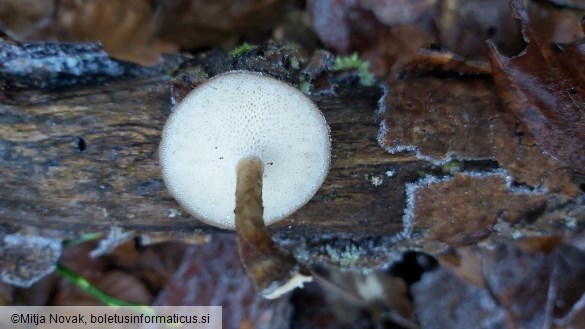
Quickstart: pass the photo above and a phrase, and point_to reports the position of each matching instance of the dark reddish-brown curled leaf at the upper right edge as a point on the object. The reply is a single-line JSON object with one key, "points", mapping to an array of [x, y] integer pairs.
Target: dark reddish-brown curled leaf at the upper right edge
{"points": [[545, 89]]}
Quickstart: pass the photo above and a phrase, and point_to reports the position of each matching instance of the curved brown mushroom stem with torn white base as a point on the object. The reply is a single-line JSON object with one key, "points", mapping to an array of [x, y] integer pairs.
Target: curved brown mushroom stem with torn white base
{"points": [[272, 270]]}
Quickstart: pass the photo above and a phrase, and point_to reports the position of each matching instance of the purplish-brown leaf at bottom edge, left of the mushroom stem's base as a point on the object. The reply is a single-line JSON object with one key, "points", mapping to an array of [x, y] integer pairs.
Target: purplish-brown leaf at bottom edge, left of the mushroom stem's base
{"points": [[212, 274]]}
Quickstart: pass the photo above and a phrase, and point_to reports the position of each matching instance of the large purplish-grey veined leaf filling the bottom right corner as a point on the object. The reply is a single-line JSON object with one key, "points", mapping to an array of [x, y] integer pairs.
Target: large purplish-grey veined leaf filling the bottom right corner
{"points": [[531, 283]]}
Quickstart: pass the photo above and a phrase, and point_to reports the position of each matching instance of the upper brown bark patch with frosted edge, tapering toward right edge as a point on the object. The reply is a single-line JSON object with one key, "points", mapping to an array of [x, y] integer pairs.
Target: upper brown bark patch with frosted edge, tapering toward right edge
{"points": [[444, 119]]}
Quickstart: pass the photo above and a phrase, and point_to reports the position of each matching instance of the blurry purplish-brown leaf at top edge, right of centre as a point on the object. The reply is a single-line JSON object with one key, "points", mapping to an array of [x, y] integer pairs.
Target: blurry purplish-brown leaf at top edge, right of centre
{"points": [[384, 33]]}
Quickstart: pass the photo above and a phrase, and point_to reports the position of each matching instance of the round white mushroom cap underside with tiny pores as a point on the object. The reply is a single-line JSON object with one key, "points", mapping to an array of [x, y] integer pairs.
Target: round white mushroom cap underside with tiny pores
{"points": [[236, 115]]}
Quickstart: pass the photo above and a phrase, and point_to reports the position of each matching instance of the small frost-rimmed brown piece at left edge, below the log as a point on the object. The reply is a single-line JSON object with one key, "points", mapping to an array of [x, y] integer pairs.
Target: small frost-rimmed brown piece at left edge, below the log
{"points": [[26, 259]]}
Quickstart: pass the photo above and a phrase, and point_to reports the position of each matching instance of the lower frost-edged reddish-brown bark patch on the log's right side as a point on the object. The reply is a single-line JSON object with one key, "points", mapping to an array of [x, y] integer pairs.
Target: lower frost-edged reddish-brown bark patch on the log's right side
{"points": [[463, 210]]}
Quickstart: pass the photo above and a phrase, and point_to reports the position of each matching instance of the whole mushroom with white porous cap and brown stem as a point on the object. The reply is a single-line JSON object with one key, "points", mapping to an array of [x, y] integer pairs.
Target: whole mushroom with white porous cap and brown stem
{"points": [[242, 151]]}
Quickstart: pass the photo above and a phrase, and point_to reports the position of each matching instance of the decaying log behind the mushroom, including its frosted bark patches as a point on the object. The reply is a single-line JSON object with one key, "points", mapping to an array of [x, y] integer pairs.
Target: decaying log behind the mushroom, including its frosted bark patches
{"points": [[86, 158]]}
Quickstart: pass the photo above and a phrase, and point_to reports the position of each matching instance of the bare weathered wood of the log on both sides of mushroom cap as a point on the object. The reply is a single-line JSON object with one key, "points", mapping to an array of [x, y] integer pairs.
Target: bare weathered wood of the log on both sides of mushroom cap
{"points": [[87, 159]]}
